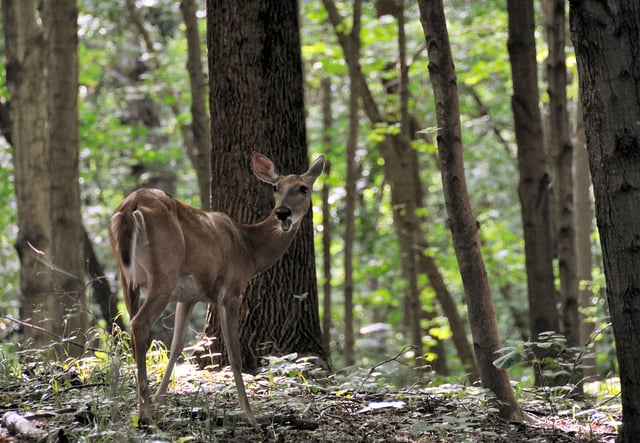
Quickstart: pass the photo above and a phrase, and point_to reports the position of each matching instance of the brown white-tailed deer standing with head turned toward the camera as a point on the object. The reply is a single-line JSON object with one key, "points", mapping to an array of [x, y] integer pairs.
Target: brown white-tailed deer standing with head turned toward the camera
{"points": [[168, 251]]}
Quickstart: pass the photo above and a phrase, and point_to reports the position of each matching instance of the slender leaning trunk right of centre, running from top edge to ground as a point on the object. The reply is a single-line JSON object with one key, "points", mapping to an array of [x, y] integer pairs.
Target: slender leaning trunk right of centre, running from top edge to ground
{"points": [[464, 227]]}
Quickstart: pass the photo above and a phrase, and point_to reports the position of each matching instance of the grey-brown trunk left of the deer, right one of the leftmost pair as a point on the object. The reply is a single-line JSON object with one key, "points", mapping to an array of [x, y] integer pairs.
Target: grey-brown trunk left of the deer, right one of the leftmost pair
{"points": [[70, 301]]}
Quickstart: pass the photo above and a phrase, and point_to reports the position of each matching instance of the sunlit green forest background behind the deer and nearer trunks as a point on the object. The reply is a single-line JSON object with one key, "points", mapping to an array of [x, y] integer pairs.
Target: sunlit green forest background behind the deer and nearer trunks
{"points": [[135, 121]]}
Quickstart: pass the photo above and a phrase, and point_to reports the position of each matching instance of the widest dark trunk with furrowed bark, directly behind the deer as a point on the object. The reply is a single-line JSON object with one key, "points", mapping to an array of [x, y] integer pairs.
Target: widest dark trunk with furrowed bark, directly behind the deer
{"points": [[256, 98]]}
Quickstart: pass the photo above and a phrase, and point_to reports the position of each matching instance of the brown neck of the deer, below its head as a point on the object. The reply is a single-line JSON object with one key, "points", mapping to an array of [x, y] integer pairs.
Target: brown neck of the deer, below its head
{"points": [[266, 242]]}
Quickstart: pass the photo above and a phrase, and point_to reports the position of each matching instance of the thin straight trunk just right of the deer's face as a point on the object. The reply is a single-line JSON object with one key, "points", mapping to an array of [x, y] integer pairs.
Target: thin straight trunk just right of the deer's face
{"points": [[327, 225]]}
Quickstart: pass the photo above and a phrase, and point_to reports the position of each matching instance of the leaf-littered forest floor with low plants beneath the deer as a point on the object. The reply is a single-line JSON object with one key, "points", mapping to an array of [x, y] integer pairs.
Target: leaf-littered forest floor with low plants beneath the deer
{"points": [[93, 399]]}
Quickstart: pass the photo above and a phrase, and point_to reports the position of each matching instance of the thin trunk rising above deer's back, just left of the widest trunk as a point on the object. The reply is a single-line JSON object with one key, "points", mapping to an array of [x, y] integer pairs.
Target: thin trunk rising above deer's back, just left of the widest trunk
{"points": [[200, 142]]}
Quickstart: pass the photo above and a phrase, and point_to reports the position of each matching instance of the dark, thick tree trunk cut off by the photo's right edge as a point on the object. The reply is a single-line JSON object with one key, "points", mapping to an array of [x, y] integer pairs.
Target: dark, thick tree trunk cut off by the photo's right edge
{"points": [[607, 42]]}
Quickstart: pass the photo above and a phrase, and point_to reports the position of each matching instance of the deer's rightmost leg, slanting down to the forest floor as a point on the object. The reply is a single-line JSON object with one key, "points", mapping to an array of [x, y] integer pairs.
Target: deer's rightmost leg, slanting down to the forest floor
{"points": [[229, 308]]}
